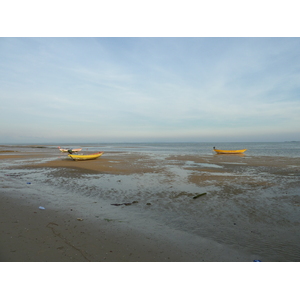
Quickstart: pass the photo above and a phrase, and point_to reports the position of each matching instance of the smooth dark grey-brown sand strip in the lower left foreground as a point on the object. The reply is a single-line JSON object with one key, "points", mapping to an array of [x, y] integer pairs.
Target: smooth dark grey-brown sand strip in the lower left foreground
{"points": [[32, 235]]}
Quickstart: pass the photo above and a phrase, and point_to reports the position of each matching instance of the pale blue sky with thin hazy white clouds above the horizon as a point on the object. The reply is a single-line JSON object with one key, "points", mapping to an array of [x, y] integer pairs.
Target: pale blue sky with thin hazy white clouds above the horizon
{"points": [[135, 89]]}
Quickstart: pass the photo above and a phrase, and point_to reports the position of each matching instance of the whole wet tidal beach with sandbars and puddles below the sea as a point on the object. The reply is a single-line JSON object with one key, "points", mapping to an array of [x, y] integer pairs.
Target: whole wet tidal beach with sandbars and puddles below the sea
{"points": [[140, 207]]}
